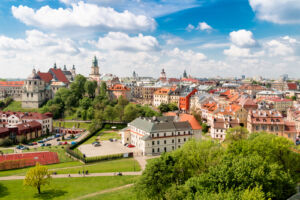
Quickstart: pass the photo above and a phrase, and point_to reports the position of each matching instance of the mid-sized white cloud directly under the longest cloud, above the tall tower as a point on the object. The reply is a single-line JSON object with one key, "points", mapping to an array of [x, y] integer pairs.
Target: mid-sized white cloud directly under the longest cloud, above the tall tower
{"points": [[123, 42]]}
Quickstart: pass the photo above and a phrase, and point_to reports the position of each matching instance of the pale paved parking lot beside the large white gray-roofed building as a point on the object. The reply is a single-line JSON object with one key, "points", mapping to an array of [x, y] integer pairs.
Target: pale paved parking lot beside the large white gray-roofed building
{"points": [[106, 148]]}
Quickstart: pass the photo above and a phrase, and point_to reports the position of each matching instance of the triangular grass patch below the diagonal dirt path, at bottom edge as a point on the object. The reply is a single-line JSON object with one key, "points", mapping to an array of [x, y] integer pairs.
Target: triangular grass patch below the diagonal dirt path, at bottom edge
{"points": [[123, 194]]}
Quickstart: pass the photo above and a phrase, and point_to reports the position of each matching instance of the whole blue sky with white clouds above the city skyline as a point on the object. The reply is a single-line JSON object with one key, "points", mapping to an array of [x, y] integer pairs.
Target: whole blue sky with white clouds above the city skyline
{"points": [[208, 38]]}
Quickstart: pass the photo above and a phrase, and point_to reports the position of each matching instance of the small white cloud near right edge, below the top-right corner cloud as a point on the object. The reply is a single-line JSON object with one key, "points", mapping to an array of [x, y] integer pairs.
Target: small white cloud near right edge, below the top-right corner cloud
{"points": [[277, 48]]}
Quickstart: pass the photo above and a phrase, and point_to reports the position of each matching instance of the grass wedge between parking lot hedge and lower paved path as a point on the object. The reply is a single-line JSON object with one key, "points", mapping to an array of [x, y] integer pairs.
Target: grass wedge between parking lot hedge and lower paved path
{"points": [[121, 165]]}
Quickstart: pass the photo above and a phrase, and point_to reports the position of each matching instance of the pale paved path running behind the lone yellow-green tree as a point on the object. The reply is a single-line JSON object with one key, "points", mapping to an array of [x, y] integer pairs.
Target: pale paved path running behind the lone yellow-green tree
{"points": [[6, 178]]}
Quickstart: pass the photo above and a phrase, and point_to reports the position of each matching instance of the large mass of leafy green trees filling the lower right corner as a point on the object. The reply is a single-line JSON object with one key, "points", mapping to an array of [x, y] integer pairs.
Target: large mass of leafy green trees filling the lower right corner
{"points": [[260, 166]]}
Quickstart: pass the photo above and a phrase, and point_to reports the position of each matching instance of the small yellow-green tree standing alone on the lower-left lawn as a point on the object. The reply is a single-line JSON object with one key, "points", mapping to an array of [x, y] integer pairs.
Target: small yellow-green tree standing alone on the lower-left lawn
{"points": [[37, 177]]}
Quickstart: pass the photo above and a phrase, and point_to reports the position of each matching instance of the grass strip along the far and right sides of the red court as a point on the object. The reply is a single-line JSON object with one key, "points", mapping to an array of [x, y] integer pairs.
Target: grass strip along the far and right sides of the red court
{"points": [[62, 155]]}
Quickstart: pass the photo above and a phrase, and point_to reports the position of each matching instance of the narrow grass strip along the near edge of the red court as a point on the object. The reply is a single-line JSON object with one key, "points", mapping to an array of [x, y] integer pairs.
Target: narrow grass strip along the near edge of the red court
{"points": [[22, 172]]}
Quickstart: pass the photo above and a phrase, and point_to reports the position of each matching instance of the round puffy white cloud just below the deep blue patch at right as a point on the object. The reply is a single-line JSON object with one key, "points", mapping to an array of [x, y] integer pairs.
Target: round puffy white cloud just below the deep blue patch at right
{"points": [[242, 38]]}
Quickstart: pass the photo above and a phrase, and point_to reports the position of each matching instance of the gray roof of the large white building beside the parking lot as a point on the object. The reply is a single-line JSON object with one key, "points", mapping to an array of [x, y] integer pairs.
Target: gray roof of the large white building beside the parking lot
{"points": [[158, 124]]}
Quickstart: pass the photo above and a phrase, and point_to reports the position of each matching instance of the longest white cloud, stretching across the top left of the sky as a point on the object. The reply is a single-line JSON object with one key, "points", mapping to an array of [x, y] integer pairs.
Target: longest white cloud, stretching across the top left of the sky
{"points": [[83, 15]]}
